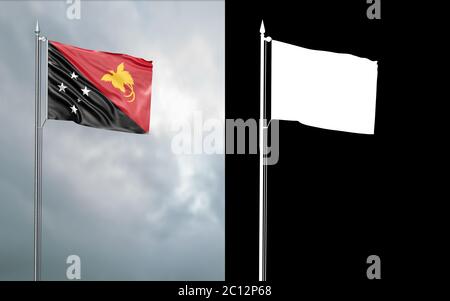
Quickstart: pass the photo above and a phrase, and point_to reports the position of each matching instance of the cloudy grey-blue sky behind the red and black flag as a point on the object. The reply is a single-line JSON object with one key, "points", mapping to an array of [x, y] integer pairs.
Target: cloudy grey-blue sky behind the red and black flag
{"points": [[124, 203]]}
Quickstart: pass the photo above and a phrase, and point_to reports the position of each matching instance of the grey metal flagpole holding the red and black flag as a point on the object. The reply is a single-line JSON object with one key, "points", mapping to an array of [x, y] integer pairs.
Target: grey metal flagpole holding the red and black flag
{"points": [[37, 159]]}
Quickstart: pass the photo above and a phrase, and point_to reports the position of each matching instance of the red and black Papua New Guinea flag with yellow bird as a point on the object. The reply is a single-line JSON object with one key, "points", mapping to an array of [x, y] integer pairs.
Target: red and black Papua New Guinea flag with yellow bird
{"points": [[99, 89]]}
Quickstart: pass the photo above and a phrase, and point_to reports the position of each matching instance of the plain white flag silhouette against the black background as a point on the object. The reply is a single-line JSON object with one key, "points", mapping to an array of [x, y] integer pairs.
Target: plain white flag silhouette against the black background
{"points": [[323, 89]]}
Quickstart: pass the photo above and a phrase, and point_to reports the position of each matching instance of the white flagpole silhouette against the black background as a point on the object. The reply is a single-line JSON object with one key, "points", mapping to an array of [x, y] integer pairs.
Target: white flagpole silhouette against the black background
{"points": [[262, 164]]}
